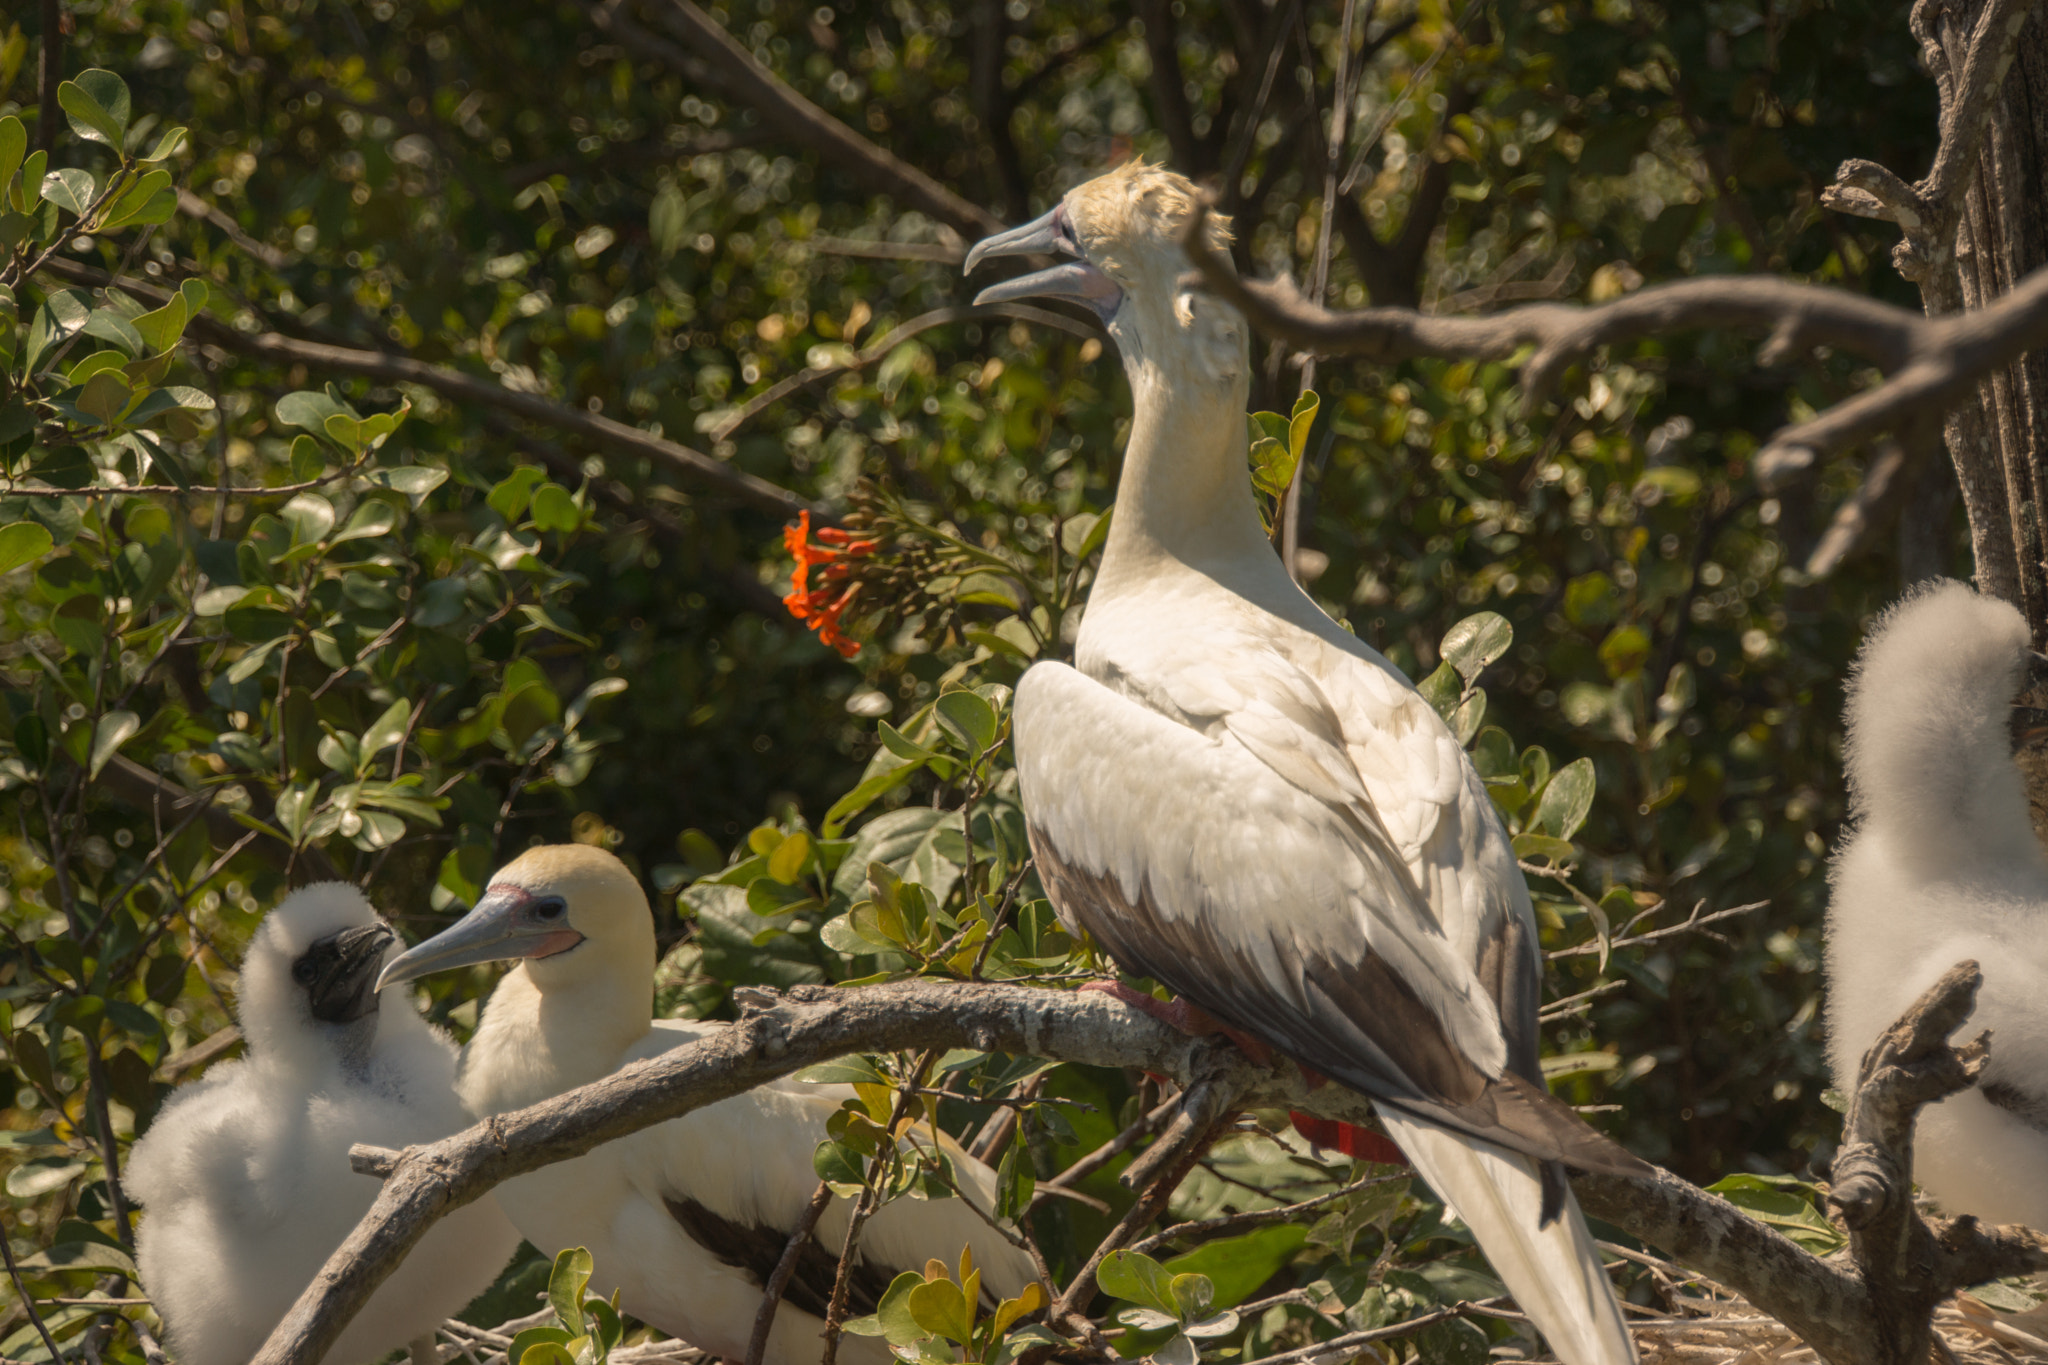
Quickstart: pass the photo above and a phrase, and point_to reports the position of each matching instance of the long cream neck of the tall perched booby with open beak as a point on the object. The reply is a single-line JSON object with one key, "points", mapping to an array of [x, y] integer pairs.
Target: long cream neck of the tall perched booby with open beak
{"points": [[1187, 484]]}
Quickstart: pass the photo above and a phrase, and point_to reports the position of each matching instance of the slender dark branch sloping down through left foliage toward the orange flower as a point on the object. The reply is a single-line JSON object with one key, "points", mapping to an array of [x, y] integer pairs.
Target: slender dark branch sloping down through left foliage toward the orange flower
{"points": [[470, 390]]}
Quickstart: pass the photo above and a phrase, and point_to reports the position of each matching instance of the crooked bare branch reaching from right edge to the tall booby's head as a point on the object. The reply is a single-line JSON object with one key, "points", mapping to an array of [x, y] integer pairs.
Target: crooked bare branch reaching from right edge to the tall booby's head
{"points": [[1932, 363]]}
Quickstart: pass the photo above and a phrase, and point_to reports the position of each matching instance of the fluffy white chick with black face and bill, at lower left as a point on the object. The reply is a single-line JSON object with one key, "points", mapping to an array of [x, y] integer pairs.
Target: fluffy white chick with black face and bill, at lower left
{"points": [[245, 1176]]}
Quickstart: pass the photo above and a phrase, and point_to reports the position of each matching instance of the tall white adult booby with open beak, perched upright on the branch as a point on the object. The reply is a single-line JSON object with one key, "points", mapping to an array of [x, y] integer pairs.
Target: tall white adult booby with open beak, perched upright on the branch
{"points": [[1250, 805]]}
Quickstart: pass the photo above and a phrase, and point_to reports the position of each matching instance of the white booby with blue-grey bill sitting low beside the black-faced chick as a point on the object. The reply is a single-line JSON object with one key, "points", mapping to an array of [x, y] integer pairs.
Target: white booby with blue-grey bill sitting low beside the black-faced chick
{"points": [[685, 1219]]}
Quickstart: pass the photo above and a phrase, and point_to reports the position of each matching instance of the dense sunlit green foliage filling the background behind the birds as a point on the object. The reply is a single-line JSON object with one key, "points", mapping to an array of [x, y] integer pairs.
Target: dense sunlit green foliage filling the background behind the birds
{"points": [[427, 631]]}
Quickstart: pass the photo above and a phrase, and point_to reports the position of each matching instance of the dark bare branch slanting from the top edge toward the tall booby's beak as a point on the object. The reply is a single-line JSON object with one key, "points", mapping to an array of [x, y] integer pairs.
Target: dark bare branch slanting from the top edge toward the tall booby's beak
{"points": [[714, 58]]}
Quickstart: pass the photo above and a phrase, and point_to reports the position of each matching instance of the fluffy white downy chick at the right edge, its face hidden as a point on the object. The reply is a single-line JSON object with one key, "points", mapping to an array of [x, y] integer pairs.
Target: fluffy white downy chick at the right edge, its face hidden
{"points": [[1947, 867]]}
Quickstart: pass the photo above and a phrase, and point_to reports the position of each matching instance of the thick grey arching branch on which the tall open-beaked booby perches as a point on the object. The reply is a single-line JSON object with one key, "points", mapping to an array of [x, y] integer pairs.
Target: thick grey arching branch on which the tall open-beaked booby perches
{"points": [[1824, 1301]]}
